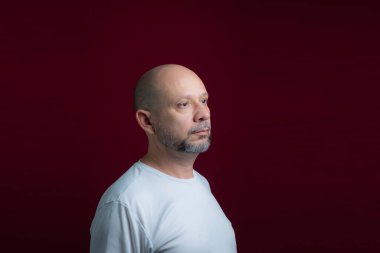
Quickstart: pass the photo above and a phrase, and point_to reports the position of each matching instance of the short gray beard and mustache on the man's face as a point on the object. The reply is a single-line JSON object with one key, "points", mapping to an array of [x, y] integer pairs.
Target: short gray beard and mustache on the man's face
{"points": [[170, 141]]}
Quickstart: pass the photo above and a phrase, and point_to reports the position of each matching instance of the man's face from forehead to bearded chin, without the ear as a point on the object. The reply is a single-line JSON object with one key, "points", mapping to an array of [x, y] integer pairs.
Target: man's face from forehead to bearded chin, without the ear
{"points": [[183, 121]]}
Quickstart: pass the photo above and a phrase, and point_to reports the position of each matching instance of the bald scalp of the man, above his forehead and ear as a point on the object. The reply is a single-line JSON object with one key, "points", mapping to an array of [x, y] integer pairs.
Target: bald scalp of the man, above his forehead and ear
{"points": [[149, 87]]}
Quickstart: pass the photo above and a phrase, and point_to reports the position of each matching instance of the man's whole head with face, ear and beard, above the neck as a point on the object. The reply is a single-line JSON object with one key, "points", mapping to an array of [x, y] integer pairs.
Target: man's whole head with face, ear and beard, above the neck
{"points": [[171, 104]]}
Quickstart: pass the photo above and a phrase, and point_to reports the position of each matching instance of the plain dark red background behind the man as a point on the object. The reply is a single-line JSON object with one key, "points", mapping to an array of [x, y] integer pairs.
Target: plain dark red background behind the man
{"points": [[295, 109]]}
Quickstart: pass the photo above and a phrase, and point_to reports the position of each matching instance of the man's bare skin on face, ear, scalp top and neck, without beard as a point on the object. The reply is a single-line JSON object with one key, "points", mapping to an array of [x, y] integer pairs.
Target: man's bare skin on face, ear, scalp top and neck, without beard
{"points": [[180, 106]]}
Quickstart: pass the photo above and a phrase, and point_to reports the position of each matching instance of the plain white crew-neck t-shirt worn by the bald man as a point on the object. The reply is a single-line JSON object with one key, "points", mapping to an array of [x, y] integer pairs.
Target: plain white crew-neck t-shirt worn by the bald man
{"points": [[147, 211]]}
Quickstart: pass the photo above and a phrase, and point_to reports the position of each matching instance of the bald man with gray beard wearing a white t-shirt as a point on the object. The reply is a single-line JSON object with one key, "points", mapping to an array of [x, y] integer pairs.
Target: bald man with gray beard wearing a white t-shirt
{"points": [[161, 204]]}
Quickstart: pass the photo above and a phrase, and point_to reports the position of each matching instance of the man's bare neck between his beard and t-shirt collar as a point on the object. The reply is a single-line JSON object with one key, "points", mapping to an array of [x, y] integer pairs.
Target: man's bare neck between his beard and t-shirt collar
{"points": [[171, 162]]}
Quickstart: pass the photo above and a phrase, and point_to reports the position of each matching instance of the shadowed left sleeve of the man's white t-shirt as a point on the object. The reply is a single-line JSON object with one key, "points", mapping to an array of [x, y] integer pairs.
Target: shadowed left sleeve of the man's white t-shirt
{"points": [[116, 230]]}
